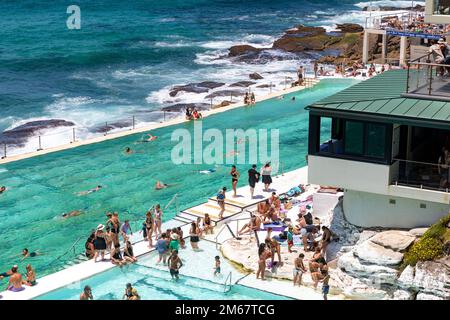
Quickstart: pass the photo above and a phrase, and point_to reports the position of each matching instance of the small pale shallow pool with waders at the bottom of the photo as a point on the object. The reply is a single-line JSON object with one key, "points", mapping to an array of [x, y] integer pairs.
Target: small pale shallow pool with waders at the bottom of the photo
{"points": [[153, 282]]}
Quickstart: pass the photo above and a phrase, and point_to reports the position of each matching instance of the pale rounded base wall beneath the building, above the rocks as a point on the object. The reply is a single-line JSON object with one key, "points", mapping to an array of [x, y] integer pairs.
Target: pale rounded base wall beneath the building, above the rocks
{"points": [[373, 210]]}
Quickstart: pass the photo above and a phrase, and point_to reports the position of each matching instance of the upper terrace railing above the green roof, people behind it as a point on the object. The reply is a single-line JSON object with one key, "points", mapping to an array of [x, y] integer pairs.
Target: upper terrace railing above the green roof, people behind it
{"points": [[427, 79]]}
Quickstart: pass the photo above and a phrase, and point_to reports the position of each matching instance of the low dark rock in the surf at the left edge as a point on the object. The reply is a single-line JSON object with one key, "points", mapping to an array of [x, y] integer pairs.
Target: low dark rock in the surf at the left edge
{"points": [[20, 134]]}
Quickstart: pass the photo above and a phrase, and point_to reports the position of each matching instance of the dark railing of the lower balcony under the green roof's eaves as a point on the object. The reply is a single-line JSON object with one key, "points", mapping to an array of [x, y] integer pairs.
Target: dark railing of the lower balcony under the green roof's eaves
{"points": [[421, 175]]}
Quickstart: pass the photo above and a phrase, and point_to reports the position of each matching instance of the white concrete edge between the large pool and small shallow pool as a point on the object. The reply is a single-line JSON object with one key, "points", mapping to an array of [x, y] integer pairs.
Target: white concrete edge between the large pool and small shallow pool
{"points": [[84, 270]]}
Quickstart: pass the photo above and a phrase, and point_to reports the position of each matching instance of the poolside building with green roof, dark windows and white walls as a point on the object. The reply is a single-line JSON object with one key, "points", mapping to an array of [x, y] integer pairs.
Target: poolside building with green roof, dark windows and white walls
{"points": [[386, 137]]}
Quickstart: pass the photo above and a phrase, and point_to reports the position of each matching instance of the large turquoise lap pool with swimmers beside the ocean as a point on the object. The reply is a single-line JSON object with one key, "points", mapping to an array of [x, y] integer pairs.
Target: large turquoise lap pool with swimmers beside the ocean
{"points": [[40, 189]]}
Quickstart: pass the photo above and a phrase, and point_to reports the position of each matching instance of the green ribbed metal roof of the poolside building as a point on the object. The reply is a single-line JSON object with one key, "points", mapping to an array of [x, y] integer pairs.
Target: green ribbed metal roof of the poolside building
{"points": [[381, 97]]}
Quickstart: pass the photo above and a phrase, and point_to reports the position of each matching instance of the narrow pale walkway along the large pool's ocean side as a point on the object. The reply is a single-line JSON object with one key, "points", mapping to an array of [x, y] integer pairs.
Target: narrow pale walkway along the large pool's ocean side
{"points": [[171, 122]]}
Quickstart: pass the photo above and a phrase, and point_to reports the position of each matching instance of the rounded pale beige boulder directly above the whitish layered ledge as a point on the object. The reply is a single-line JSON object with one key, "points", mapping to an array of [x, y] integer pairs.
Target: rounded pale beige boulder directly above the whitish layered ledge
{"points": [[371, 252]]}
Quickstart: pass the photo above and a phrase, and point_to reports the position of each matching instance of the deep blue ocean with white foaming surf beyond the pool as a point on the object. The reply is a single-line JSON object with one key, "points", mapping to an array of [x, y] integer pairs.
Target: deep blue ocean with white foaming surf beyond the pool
{"points": [[128, 54]]}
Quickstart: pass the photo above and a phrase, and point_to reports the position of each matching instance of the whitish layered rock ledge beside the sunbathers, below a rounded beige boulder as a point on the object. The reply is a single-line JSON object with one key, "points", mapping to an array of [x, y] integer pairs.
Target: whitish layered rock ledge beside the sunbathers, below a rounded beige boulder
{"points": [[374, 273]]}
